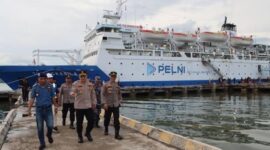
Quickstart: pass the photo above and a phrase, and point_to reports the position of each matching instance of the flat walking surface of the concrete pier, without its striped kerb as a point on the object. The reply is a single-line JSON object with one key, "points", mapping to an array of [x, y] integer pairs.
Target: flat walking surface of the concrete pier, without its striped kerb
{"points": [[23, 135]]}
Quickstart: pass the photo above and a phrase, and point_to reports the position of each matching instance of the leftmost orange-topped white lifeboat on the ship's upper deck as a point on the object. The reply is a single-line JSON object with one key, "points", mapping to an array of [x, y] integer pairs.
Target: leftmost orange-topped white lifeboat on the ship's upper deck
{"points": [[151, 35]]}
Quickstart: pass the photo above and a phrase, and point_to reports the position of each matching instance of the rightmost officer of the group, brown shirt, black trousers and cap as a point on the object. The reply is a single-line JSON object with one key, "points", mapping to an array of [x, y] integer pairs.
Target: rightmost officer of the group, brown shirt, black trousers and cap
{"points": [[111, 99]]}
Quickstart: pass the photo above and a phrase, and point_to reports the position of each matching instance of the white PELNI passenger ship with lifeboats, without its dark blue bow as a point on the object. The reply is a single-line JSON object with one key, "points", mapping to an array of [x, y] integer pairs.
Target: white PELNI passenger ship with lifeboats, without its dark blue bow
{"points": [[164, 57]]}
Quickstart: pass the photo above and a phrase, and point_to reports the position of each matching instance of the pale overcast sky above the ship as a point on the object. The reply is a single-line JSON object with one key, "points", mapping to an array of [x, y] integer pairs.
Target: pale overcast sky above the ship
{"points": [[26, 25]]}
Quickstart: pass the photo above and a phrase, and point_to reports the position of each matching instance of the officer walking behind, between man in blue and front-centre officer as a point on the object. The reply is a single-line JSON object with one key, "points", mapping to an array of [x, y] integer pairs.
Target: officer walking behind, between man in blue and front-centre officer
{"points": [[67, 101]]}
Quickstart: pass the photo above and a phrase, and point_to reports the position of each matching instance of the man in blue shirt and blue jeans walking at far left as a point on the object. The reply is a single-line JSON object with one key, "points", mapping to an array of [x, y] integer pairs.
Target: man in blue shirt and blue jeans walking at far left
{"points": [[43, 94]]}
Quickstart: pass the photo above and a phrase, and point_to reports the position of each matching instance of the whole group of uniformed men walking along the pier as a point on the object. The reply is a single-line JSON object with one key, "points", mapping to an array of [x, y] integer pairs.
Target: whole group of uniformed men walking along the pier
{"points": [[81, 98]]}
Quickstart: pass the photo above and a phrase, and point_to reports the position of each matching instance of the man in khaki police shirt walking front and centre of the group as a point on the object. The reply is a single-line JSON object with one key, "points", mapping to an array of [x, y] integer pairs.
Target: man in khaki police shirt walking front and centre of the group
{"points": [[85, 103]]}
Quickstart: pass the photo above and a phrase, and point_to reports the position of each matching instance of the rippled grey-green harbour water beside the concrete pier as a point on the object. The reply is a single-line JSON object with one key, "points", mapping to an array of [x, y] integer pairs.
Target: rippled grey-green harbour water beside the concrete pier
{"points": [[223, 120]]}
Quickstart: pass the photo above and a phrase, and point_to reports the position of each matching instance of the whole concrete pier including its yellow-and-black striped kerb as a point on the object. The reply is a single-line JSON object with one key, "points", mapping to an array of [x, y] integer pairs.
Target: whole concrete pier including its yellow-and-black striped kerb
{"points": [[137, 136]]}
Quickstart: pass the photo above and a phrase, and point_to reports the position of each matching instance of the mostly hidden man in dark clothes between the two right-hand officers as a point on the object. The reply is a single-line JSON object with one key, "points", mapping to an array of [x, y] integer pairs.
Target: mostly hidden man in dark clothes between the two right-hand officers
{"points": [[98, 86]]}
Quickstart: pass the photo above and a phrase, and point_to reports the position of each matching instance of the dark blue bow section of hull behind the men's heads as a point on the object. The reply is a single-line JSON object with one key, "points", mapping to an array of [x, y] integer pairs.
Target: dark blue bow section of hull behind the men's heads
{"points": [[12, 74]]}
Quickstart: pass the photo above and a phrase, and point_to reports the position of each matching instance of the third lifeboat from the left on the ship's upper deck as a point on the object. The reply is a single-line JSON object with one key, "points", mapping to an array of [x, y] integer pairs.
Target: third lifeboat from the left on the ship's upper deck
{"points": [[213, 36]]}
